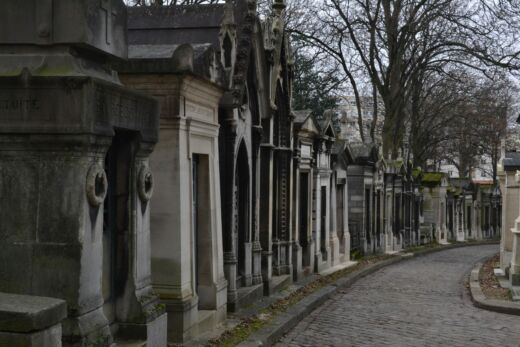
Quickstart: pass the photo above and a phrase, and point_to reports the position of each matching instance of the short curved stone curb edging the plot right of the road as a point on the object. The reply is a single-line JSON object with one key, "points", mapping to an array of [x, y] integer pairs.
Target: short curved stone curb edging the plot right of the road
{"points": [[479, 299]]}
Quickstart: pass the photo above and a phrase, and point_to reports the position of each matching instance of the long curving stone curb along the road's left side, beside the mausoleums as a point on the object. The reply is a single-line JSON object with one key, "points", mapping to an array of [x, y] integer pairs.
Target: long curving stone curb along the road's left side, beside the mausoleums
{"points": [[281, 324]]}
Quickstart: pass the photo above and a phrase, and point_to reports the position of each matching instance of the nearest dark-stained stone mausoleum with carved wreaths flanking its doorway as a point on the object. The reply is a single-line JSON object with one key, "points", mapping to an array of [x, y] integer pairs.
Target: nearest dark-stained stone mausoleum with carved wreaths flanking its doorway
{"points": [[74, 169]]}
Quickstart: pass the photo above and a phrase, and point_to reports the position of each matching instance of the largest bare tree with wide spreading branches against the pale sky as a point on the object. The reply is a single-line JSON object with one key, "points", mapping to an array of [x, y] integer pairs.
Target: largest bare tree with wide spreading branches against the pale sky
{"points": [[398, 41]]}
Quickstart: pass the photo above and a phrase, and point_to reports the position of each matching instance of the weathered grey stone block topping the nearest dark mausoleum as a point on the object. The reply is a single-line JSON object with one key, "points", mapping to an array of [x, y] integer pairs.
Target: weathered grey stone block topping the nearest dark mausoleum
{"points": [[94, 24]]}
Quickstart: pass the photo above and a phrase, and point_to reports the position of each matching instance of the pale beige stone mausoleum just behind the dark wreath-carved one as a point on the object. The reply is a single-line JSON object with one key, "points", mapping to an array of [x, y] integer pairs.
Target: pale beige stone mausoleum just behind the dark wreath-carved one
{"points": [[189, 280]]}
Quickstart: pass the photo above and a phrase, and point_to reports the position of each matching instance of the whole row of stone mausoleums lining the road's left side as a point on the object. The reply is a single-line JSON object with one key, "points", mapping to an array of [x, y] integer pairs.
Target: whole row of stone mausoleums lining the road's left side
{"points": [[155, 176]]}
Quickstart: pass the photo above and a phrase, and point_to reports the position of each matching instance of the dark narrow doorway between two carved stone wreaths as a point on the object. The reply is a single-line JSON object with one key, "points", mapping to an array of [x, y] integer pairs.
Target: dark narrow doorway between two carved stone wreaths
{"points": [[118, 163]]}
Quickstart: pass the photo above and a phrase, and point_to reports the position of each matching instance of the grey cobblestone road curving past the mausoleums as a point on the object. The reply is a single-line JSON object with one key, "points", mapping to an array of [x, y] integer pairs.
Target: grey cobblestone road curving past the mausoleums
{"points": [[419, 302]]}
